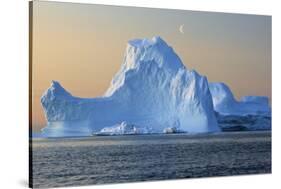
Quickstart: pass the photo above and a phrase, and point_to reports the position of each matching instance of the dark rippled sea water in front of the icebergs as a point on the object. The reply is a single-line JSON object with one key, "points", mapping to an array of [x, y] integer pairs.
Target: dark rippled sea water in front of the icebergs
{"points": [[117, 159]]}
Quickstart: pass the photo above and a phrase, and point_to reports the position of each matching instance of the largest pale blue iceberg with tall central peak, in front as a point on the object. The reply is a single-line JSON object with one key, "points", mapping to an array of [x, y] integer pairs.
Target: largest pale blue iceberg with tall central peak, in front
{"points": [[153, 89]]}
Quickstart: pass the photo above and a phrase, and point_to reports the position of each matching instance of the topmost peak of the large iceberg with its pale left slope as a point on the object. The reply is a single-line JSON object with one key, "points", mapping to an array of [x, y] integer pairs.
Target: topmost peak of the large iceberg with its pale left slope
{"points": [[146, 55]]}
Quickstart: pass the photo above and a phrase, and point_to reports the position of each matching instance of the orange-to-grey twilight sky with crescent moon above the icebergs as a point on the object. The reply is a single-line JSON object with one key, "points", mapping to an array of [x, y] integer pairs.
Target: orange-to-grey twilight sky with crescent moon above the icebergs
{"points": [[82, 46]]}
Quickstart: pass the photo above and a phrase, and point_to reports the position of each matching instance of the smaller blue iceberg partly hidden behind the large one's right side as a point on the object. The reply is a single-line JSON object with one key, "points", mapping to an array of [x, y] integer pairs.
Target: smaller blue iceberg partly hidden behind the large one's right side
{"points": [[250, 113]]}
